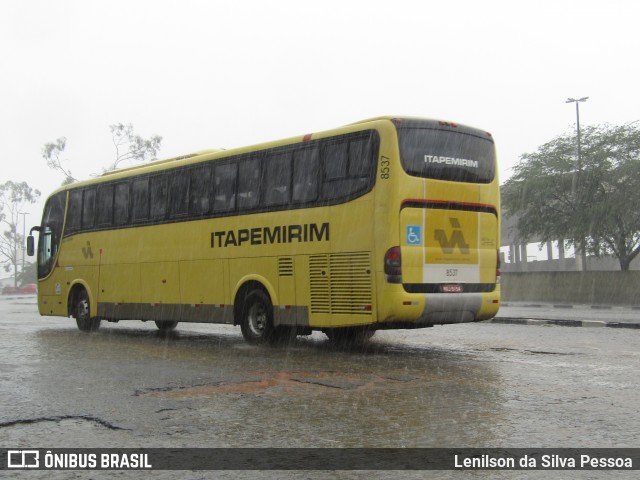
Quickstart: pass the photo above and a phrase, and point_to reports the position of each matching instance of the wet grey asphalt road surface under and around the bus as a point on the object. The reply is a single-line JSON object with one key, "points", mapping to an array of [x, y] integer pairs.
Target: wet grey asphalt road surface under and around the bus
{"points": [[473, 385]]}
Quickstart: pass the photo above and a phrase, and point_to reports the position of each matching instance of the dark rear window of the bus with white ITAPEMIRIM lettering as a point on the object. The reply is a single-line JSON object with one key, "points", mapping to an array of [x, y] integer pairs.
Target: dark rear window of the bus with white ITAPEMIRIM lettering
{"points": [[447, 155]]}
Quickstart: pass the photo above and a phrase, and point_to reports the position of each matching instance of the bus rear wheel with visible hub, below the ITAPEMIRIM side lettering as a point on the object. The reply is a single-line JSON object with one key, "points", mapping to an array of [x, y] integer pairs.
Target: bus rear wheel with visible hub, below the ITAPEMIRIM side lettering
{"points": [[256, 318]]}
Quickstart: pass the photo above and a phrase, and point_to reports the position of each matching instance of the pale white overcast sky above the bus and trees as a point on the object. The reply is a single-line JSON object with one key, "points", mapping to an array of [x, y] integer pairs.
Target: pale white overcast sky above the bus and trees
{"points": [[207, 74]]}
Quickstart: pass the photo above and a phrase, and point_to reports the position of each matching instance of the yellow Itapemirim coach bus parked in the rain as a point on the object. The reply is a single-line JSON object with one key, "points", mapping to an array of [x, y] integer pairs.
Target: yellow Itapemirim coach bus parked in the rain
{"points": [[382, 224]]}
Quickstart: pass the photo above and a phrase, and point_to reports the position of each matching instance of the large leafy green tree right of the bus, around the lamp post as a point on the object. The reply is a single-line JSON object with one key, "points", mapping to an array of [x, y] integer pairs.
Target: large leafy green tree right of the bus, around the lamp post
{"points": [[594, 203]]}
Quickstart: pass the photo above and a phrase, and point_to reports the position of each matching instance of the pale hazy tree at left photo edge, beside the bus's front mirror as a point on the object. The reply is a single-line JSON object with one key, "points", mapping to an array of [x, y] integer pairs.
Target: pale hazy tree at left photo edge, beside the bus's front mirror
{"points": [[14, 197]]}
